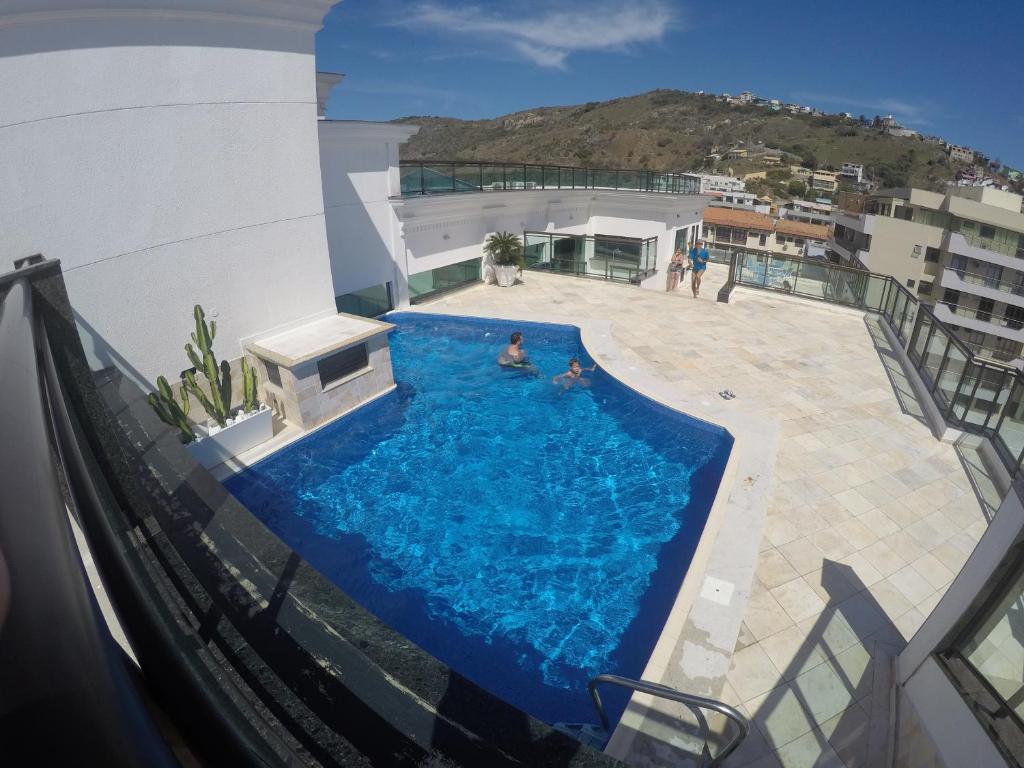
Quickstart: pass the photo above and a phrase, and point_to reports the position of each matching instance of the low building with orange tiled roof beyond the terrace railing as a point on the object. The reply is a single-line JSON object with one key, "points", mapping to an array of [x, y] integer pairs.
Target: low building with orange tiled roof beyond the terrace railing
{"points": [[732, 230]]}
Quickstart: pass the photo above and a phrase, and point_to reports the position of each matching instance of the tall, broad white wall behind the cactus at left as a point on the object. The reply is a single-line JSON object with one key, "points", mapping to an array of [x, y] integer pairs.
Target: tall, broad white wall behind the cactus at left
{"points": [[166, 152]]}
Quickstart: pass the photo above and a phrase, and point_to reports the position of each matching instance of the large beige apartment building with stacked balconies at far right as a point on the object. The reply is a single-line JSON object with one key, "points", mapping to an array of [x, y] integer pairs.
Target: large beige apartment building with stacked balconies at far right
{"points": [[962, 252]]}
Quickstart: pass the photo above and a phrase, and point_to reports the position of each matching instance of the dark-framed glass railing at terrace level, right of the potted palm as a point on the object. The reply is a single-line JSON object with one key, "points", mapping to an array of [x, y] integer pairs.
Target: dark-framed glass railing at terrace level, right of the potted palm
{"points": [[620, 260]]}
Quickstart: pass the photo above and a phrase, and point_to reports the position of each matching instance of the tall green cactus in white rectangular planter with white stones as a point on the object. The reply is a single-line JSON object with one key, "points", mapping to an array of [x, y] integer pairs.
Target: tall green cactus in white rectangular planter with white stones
{"points": [[229, 432]]}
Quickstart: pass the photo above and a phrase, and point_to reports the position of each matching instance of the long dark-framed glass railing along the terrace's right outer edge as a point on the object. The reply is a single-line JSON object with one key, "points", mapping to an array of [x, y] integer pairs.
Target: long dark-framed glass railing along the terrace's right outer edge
{"points": [[973, 392]]}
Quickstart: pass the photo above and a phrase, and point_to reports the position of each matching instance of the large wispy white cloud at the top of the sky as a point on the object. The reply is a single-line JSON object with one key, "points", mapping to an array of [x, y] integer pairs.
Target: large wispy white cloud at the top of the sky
{"points": [[548, 35]]}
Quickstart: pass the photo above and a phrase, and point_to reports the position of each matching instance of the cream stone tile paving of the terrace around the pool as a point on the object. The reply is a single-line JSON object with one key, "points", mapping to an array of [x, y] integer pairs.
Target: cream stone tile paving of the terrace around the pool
{"points": [[869, 519]]}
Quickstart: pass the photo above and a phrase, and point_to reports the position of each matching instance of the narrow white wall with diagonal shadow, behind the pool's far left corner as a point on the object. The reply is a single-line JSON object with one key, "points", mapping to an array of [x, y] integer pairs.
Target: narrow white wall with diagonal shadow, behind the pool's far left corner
{"points": [[360, 169]]}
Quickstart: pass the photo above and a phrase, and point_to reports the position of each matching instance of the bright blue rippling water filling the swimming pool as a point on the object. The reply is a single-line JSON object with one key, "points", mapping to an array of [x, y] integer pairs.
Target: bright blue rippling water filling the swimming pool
{"points": [[529, 537]]}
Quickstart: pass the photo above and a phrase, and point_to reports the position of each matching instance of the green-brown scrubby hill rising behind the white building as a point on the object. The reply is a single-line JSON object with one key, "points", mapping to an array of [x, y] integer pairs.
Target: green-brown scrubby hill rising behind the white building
{"points": [[669, 131]]}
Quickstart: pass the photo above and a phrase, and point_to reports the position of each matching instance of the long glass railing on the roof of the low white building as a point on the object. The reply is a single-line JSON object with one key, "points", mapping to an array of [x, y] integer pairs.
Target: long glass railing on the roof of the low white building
{"points": [[432, 178]]}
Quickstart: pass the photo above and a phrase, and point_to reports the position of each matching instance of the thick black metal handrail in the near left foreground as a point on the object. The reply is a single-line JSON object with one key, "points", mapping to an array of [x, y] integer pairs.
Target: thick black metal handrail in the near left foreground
{"points": [[67, 695]]}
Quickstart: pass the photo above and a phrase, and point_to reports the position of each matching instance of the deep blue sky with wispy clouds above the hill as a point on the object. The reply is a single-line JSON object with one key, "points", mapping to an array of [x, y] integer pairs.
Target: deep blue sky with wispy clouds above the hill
{"points": [[944, 68]]}
